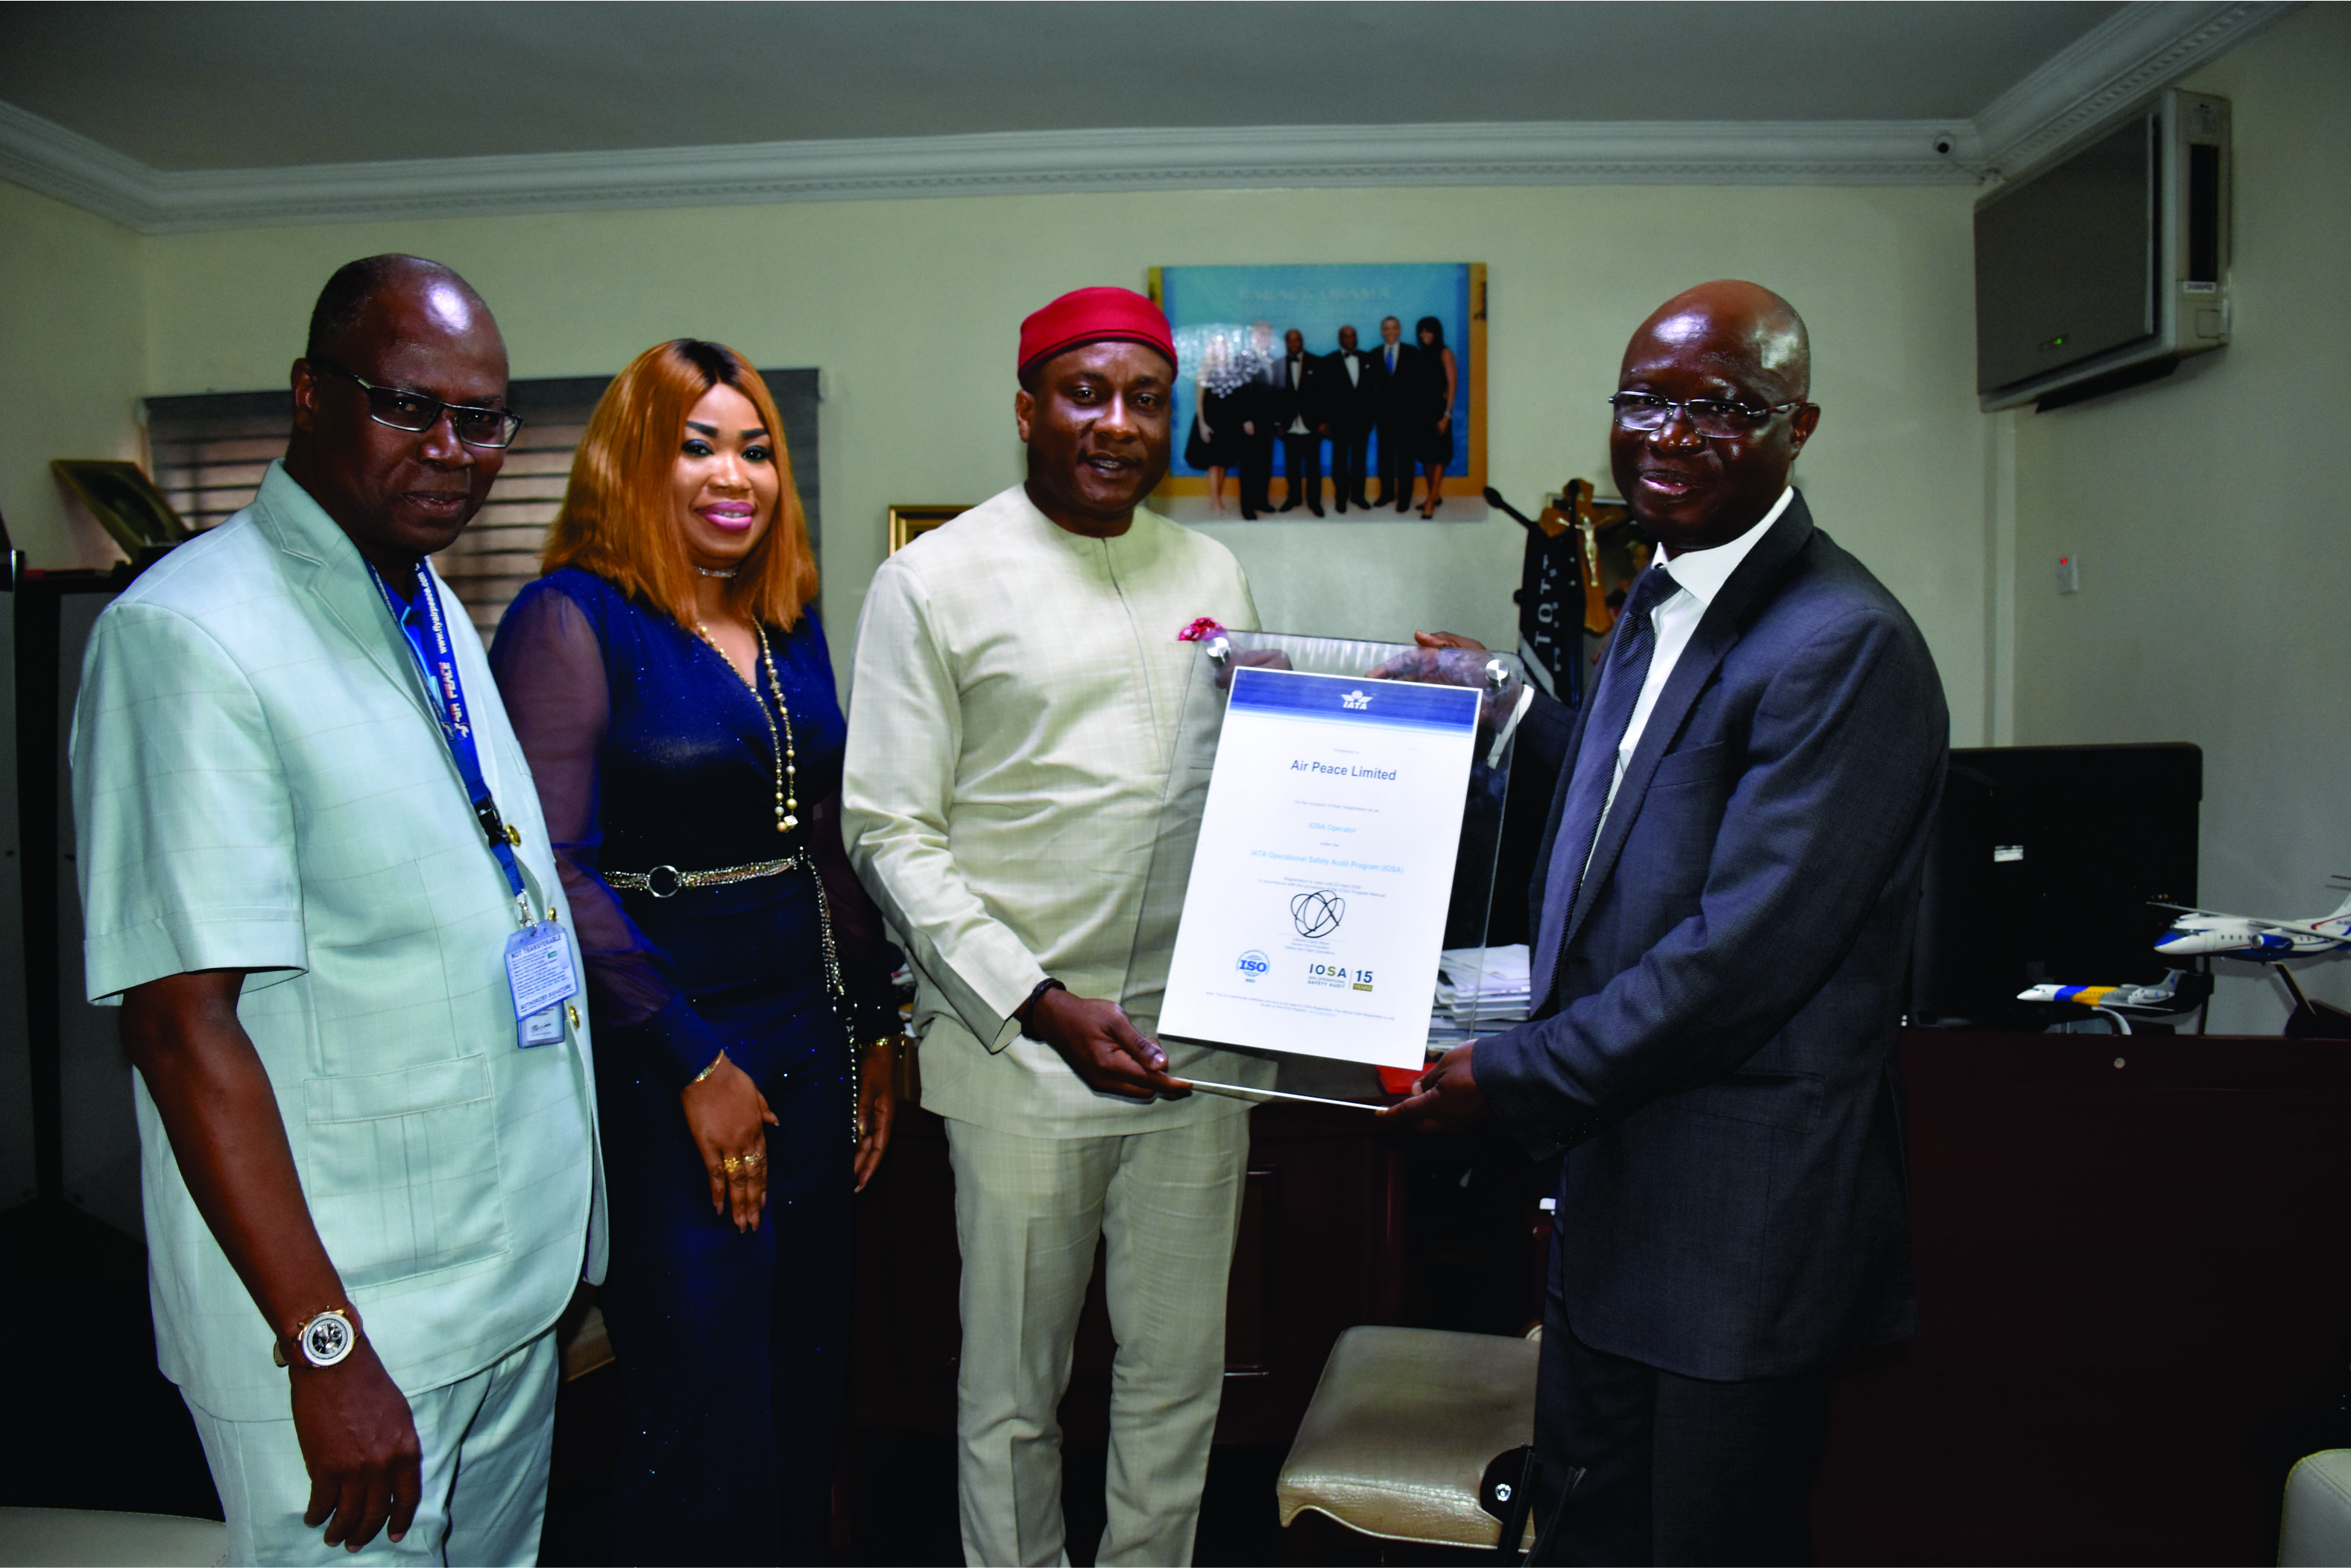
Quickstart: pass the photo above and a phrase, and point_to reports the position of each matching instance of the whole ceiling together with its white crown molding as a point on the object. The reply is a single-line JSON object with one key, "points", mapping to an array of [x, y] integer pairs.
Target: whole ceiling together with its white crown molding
{"points": [[232, 114]]}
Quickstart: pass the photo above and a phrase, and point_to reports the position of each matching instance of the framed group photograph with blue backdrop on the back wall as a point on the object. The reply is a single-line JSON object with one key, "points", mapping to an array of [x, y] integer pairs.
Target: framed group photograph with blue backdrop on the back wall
{"points": [[1231, 337]]}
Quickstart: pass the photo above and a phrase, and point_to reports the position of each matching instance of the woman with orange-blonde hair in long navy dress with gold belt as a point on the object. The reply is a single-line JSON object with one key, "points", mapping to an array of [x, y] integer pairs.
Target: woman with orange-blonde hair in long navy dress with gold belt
{"points": [[671, 688]]}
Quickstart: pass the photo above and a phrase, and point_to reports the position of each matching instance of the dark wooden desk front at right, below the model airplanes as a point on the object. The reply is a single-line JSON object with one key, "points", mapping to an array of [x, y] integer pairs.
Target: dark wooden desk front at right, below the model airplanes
{"points": [[2134, 1301]]}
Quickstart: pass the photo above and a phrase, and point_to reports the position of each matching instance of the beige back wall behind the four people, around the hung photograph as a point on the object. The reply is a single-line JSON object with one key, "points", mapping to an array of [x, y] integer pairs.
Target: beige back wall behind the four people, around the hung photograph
{"points": [[913, 309]]}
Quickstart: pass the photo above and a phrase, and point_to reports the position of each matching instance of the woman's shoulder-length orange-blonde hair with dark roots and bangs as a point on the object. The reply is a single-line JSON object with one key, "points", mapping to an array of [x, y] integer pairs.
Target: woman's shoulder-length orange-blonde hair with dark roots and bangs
{"points": [[619, 518]]}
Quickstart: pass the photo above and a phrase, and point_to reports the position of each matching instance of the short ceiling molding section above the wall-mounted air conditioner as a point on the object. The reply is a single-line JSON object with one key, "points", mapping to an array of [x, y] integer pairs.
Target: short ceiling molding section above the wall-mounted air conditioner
{"points": [[2141, 51]]}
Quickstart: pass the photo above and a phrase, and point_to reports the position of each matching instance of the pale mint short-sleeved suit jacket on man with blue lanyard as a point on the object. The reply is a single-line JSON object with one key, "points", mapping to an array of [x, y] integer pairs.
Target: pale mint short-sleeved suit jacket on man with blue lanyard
{"points": [[260, 784]]}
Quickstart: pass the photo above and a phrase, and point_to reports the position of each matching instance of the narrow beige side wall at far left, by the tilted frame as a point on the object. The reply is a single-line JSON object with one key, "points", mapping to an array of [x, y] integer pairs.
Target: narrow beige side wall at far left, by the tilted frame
{"points": [[72, 359]]}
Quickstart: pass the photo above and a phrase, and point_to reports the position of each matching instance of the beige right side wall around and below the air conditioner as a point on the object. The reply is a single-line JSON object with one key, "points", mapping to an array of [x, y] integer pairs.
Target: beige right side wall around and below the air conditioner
{"points": [[2213, 523]]}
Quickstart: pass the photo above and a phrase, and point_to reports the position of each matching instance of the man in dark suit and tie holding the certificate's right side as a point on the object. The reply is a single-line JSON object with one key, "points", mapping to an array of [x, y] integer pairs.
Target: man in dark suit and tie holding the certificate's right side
{"points": [[1724, 909]]}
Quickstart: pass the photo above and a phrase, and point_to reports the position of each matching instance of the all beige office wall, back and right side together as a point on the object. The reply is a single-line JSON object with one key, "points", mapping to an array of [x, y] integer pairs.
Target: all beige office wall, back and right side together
{"points": [[2206, 511]]}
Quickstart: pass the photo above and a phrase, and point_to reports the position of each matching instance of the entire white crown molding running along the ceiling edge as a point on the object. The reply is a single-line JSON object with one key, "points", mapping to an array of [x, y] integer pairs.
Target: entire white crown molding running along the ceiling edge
{"points": [[2126, 58]]}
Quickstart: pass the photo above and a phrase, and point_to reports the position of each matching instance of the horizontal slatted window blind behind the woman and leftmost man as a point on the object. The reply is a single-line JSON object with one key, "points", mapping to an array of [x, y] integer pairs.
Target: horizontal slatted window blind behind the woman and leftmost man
{"points": [[210, 450]]}
